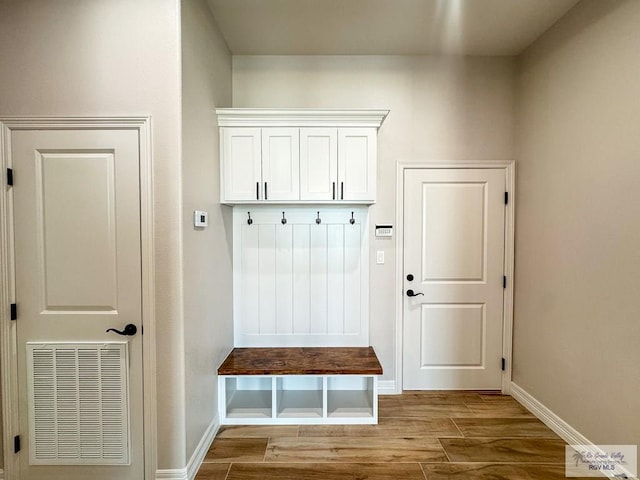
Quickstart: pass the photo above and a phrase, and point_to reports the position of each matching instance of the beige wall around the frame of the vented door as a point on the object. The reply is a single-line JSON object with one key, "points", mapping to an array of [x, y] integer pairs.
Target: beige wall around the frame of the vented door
{"points": [[114, 57]]}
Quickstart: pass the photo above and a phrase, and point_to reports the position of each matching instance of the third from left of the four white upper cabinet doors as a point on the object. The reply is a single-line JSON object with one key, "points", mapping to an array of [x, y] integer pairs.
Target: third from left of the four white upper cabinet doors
{"points": [[318, 163]]}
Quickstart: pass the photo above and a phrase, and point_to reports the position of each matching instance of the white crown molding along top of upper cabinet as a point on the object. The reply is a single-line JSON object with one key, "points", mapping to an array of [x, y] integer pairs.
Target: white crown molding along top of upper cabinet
{"points": [[300, 117]]}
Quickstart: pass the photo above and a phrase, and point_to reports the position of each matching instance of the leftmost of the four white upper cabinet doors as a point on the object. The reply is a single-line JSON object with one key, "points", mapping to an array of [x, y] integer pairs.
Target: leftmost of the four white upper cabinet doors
{"points": [[241, 164]]}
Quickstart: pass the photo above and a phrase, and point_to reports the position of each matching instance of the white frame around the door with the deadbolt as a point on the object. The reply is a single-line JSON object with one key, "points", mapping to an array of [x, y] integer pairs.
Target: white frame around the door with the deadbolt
{"points": [[510, 169]]}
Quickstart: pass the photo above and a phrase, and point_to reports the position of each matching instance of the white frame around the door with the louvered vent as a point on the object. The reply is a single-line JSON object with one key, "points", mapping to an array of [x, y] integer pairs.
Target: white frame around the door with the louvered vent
{"points": [[8, 360]]}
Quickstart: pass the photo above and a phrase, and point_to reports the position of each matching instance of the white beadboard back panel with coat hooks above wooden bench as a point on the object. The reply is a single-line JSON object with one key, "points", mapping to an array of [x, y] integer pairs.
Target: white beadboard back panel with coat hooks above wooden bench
{"points": [[301, 282]]}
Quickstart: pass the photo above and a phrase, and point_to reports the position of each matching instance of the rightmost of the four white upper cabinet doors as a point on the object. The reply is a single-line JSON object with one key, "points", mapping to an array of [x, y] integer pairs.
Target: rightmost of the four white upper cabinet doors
{"points": [[357, 164]]}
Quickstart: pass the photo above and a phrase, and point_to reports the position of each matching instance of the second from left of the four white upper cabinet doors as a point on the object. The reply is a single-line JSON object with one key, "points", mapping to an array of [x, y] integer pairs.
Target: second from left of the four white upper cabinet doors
{"points": [[281, 163]]}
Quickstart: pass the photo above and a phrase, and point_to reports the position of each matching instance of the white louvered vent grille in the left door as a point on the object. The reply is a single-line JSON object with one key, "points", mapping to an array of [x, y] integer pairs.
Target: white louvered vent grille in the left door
{"points": [[78, 403]]}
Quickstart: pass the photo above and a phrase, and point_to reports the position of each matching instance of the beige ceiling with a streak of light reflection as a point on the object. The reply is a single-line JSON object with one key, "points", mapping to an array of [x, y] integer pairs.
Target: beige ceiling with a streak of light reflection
{"points": [[384, 27]]}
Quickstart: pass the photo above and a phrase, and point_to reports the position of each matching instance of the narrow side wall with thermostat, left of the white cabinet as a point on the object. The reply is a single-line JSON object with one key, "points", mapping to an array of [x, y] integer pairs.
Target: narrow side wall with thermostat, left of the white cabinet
{"points": [[208, 316]]}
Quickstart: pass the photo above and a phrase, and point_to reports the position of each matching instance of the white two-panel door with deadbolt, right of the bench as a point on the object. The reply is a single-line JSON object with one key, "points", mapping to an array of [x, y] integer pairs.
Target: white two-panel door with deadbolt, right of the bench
{"points": [[453, 267]]}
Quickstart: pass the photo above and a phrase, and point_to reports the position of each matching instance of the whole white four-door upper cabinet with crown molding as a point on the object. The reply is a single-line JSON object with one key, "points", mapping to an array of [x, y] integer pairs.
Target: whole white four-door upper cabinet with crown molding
{"points": [[298, 155]]}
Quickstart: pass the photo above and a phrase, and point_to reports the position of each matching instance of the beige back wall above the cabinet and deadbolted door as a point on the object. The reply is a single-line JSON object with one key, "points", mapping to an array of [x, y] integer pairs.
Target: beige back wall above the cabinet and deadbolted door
{"points": [[441, 108]]}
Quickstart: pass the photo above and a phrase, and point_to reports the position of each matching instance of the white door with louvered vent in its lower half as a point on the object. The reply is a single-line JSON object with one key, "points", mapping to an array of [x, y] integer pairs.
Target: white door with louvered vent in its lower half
{"points": [[77, 274]]}
